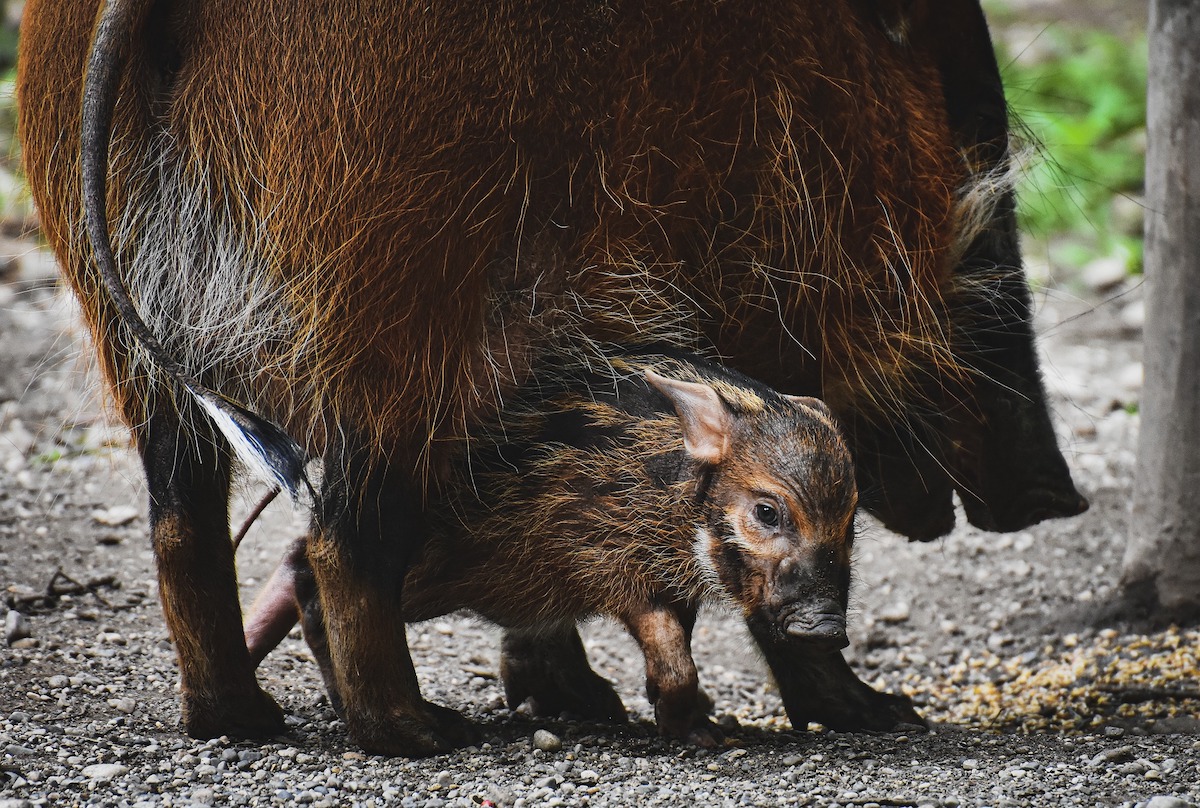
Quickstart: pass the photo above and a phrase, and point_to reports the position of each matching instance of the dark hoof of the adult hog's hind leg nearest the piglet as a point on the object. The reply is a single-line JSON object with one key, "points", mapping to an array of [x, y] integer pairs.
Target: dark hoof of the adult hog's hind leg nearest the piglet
{"points": [[413, 734]]}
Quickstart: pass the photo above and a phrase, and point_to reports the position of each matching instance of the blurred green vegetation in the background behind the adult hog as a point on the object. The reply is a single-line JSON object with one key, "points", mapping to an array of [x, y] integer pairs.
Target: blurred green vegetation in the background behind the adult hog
{"points": [[1076, 76]]}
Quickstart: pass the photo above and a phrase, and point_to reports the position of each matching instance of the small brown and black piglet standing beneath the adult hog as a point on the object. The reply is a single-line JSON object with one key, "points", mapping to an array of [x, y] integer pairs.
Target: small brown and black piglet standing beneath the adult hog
{"points": [[639, 490]]}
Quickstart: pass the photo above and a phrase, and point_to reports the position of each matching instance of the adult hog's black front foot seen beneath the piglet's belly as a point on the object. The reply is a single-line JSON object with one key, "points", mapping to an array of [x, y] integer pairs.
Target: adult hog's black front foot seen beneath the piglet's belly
{"points": [[549, 668]]}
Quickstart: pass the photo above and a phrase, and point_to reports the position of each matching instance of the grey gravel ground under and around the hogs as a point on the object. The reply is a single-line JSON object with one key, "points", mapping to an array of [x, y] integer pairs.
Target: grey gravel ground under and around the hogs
{"points": [[988, 633]]}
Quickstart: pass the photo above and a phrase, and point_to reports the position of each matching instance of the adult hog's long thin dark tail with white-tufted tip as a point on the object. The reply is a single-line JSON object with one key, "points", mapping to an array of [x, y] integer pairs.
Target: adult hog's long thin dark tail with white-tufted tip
{"points": [[263, 446]]}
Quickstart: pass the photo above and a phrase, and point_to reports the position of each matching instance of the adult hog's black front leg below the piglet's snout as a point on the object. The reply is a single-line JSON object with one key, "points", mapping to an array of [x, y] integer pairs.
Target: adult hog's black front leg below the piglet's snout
{"points": [[819, 686]]}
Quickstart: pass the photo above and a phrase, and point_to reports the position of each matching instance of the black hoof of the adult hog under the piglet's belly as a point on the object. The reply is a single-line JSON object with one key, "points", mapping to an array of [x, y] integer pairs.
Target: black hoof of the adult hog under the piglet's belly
{"points": [[553, 689]]}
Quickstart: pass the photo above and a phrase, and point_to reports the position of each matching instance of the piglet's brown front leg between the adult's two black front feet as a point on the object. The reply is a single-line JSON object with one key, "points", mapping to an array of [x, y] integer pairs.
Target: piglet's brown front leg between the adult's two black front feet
{"points": [[671, 683]]}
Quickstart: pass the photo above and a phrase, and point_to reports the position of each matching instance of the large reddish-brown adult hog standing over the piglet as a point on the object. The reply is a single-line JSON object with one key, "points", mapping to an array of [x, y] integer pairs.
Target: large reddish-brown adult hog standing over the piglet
{"points": [[361, 223]]}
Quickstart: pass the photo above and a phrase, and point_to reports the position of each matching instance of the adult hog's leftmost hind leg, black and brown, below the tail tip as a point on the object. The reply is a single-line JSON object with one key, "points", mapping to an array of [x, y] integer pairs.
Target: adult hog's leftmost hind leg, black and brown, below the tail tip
{"points": [[188, 475]]}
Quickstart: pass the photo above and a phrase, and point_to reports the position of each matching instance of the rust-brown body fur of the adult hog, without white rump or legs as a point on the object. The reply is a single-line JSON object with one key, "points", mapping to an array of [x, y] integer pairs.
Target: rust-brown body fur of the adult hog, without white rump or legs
{"points": [[351, 172]]}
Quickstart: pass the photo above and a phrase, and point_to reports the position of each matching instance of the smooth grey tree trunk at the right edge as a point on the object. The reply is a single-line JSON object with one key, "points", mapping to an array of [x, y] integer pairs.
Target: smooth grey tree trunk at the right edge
{"points": [[1162, 564]]}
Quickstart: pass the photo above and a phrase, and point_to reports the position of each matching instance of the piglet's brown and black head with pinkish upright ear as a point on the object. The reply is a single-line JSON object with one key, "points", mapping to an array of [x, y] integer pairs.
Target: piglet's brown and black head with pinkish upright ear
{"points": [[779, 507]]}
